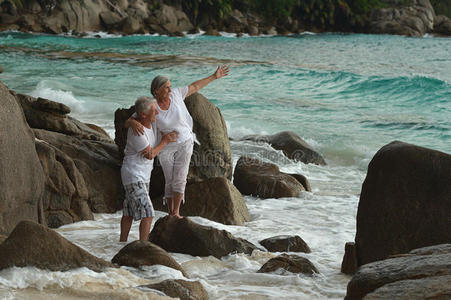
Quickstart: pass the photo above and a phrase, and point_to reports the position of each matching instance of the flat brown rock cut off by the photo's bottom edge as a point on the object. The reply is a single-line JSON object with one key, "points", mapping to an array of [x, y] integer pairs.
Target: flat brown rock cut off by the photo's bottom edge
{"points": [[185, 290]]}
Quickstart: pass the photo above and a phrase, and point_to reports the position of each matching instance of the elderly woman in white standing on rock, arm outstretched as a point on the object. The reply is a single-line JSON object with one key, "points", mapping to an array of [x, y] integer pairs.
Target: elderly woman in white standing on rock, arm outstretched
{"points": [[173, 116]]}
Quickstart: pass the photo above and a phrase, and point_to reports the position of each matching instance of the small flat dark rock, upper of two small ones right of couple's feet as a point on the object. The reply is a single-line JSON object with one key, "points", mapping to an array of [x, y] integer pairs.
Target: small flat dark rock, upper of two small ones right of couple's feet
{"points": [[285, 243]]}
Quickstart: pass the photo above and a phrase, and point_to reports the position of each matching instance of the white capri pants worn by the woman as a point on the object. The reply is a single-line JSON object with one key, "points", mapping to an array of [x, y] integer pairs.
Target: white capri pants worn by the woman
{"points": [[175, 161]]}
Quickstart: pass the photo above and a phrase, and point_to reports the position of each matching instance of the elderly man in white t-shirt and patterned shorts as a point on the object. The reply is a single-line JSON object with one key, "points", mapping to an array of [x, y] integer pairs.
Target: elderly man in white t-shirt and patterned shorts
{"points": [[137, 167]]}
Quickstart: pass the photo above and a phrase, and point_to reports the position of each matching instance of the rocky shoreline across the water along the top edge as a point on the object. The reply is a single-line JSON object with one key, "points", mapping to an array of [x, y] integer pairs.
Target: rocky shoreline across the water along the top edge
{"points": [[410, 18]]}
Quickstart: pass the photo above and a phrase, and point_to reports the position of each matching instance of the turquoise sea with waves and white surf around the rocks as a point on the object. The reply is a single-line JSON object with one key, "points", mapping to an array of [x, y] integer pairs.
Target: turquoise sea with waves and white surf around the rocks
{"points": [[346, 95]]}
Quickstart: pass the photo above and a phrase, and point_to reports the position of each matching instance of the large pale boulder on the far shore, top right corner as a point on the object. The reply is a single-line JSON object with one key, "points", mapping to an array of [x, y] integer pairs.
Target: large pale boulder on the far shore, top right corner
{"points": [[416, 19]]}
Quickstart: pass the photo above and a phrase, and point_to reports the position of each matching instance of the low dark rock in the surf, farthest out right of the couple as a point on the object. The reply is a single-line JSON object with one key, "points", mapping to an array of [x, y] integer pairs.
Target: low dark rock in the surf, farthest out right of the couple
{"points": [[293, 146]]}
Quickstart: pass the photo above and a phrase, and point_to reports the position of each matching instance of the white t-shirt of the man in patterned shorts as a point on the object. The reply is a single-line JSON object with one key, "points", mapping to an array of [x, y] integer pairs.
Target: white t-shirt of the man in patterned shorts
{"points": [[136, 167]]}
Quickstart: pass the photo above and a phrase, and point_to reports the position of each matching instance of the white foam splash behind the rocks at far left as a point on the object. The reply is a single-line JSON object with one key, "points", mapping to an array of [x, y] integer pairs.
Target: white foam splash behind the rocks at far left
{"points": [[48, 90]]}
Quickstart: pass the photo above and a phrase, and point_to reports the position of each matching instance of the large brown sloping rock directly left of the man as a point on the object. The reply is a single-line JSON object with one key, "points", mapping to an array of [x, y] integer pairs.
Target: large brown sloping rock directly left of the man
{"points": [[97, 162]]}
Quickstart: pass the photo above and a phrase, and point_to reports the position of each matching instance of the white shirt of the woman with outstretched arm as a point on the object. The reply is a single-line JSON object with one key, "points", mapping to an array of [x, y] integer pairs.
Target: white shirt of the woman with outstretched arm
{"points": [[176, 117]]}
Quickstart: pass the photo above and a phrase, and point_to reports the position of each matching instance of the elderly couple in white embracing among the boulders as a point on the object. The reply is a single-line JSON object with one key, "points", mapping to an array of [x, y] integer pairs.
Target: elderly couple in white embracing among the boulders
{"points": [[160, 126]]}
